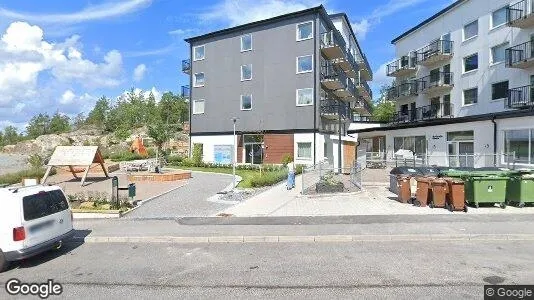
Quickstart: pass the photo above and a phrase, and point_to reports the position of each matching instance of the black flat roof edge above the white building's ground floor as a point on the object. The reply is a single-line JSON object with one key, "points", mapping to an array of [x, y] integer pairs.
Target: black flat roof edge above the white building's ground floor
{"points": [[437, 122]]}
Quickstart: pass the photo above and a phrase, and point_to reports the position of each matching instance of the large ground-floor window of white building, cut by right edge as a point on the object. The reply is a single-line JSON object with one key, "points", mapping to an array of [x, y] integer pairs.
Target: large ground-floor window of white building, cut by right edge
{"points": [[520, 142]]}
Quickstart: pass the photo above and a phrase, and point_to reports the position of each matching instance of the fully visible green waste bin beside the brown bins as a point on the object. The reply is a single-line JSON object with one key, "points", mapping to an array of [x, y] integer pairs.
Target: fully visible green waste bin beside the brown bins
{"points": [[486, 189]]}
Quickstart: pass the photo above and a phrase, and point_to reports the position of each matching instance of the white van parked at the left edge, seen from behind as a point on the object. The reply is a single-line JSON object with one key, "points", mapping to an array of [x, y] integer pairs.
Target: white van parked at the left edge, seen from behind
{"points": [[32, 220]]}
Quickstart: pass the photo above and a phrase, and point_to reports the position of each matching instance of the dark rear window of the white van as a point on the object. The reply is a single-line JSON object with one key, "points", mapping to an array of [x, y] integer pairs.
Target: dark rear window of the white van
{"points": [[43, 204]]}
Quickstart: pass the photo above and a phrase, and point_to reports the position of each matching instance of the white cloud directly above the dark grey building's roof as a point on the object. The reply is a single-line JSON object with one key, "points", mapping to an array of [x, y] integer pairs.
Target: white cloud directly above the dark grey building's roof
{"points": [[237, 12]]}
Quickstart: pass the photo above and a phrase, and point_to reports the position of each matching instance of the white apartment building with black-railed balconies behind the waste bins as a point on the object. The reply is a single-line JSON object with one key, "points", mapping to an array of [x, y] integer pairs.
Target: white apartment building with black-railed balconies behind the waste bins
{"points": [[462, 87]]}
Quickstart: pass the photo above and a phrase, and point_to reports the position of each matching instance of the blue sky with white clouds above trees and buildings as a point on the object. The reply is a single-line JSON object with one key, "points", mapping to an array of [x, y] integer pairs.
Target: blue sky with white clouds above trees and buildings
{"points": [[61, 56]]}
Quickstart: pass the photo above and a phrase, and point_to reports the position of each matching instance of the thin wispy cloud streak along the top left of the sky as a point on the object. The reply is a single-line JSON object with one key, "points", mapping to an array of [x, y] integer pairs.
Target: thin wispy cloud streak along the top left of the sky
{"points": [[94, 12]]}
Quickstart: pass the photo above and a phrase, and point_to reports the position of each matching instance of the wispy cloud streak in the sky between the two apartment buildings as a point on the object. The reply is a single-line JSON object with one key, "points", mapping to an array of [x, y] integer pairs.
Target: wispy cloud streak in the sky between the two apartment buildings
{"points": [[362, 27]]}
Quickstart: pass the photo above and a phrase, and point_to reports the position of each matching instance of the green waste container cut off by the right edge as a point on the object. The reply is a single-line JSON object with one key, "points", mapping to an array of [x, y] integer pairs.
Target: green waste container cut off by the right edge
{"points": [[520, 189]]}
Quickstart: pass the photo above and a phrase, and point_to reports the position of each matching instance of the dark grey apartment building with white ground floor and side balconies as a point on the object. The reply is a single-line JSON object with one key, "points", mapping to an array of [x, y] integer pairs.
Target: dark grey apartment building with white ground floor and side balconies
{"points": [[291, 83]]}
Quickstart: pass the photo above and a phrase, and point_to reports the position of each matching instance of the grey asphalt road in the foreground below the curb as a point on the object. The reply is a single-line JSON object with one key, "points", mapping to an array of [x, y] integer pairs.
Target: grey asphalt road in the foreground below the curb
{"points": [[434, 269]]}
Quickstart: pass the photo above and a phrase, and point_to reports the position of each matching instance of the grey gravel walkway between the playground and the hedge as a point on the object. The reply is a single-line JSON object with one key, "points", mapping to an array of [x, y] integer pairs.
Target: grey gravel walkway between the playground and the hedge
{"points": [[189, 200]]}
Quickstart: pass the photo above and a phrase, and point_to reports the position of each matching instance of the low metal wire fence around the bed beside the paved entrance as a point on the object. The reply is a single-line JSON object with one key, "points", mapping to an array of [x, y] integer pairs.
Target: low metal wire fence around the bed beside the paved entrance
{"points": [[349, 177]]}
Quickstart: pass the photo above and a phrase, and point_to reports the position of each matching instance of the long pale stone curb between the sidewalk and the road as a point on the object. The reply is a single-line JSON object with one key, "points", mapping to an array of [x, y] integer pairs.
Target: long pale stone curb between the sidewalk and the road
{"points": [[306, 239]]}
